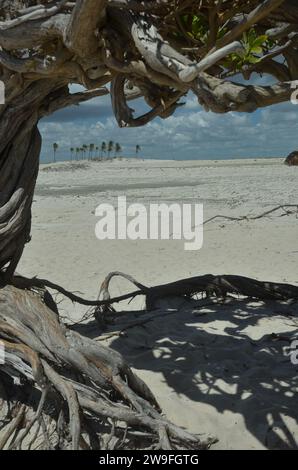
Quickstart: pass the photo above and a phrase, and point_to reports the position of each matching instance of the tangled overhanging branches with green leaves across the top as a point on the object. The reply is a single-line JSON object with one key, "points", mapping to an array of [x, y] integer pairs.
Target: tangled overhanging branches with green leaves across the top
{"points": [[158, 50]]}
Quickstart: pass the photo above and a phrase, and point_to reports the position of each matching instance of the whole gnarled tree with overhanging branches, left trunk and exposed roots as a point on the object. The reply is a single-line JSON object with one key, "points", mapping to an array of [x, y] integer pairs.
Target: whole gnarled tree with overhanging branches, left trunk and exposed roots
{"points": [[158, 50]]}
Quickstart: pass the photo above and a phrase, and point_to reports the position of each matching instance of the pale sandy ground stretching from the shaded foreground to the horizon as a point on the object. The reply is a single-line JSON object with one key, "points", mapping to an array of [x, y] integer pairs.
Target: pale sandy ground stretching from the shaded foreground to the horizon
{"points": [[215, 369]]}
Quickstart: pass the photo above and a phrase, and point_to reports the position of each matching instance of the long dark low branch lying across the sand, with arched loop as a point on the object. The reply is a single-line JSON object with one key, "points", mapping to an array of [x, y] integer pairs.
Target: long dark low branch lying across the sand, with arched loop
{"points": [[220, 285]]}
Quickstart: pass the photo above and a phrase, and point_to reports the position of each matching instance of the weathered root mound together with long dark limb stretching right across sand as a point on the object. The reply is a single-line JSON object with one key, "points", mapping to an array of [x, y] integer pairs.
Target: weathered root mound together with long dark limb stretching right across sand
{"points": [[88, 396]]}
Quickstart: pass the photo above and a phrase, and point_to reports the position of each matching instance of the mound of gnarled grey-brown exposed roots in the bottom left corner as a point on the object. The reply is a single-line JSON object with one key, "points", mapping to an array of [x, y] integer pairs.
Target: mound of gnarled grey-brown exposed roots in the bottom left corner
{"points": [[93, 380]]}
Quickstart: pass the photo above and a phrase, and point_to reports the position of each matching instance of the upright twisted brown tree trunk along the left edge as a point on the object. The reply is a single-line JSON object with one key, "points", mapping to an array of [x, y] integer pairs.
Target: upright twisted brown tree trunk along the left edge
{"points": [[20, 145]]}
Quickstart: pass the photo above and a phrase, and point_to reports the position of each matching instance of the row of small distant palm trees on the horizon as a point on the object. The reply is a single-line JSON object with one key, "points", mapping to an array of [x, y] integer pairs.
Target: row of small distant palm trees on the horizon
{"points": [[104, 151]]}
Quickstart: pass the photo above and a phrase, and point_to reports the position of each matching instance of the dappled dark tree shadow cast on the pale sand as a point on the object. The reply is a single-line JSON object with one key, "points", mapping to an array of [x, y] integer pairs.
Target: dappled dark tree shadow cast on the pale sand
{"points": [[230, 356]]}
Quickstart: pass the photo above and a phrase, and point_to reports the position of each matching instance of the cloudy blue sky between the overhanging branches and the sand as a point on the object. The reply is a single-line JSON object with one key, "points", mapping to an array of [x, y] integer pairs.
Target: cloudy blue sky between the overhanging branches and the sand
{"points": [[190, 134]]}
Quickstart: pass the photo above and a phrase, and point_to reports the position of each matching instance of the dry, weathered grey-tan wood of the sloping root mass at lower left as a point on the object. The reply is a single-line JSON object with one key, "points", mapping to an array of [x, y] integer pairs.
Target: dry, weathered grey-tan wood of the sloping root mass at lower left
{"points": [[87, 375]]}
